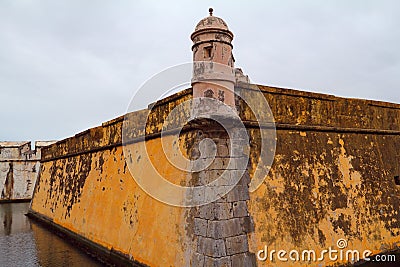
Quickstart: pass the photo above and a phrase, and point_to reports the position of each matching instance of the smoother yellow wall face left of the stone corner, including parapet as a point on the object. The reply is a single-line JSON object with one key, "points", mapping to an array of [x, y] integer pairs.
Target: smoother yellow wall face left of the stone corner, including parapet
{"points": [[85, 187]]}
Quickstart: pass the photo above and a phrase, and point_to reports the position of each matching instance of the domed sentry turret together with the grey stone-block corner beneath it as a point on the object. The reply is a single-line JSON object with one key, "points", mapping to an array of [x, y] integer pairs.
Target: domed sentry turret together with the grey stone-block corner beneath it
{"points": [[220, 227]]}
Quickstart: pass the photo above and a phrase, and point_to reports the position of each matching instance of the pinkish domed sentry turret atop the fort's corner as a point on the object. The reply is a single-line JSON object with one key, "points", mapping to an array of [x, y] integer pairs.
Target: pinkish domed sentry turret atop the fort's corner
{"points": [[213, 67]]}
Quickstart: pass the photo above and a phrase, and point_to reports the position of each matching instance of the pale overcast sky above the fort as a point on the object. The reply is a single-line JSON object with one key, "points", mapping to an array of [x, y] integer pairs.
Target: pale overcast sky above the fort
{"points": [[66, 66]]}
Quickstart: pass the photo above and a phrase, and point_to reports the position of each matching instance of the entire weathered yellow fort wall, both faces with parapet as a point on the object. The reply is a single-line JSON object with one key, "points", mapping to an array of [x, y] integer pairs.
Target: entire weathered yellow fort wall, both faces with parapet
{"points": [[335, 176]]}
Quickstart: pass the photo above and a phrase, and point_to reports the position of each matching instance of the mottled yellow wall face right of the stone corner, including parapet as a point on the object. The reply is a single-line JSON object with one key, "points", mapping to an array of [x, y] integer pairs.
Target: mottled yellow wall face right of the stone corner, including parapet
{"points": [[332, 177]]}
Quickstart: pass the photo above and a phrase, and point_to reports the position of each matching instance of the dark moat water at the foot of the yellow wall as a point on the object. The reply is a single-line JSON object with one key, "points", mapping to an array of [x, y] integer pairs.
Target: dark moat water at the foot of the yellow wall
{"points": [[24, 242]]}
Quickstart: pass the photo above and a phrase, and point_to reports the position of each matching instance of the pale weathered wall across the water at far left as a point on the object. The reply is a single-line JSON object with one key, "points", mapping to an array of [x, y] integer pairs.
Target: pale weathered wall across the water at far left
{"points": [[19, 168]]}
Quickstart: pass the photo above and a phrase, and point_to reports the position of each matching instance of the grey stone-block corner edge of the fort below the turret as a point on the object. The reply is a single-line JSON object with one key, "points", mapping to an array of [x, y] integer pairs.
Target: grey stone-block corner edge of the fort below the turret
{"points": [[221, 227]]}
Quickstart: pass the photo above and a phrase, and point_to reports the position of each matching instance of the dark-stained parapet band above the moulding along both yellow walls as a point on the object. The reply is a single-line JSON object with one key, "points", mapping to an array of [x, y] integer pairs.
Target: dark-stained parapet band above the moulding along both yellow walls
{"points": [[344, 110]]}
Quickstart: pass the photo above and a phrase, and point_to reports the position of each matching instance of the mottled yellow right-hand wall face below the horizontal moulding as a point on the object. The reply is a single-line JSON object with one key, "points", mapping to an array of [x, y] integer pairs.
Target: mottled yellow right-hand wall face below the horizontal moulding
{"points": [[342, 188]]}
